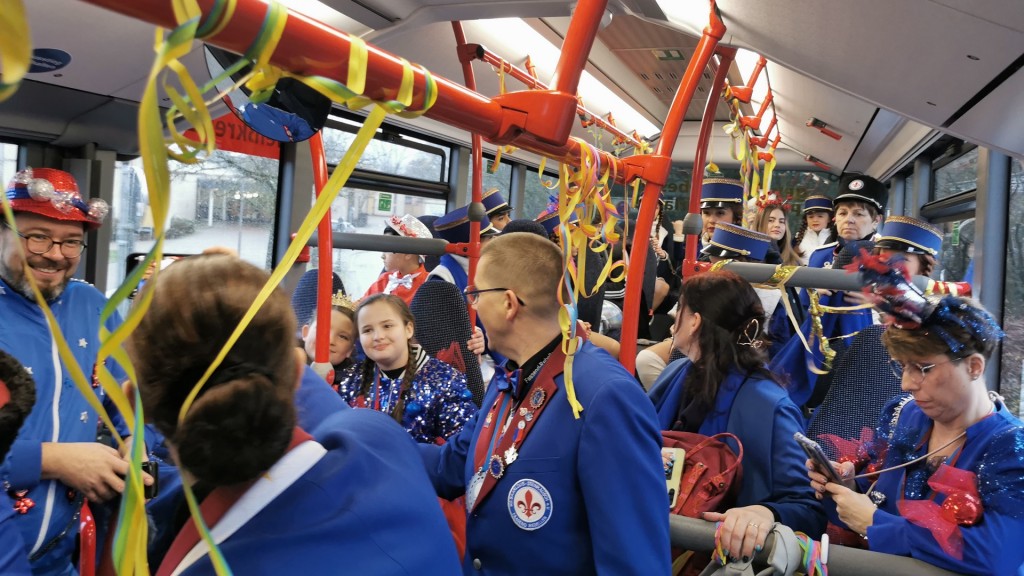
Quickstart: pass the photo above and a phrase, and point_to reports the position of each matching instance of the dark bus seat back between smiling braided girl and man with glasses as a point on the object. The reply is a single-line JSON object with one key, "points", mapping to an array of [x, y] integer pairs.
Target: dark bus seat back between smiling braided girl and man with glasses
{"points": [[443, 328]]}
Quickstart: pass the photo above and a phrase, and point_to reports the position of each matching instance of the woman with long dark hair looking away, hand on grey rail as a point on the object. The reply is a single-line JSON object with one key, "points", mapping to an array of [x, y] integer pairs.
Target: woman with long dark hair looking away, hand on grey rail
{"points": [[723, 386]]}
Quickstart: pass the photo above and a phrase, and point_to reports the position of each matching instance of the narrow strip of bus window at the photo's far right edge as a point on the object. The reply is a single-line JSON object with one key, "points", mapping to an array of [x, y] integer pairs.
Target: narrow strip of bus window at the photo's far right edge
{"points": [[1013, 304]]}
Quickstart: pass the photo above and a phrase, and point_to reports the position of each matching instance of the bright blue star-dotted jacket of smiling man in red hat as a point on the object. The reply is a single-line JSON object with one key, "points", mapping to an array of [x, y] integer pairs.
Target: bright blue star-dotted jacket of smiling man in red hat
{"points": [[61, 415]]}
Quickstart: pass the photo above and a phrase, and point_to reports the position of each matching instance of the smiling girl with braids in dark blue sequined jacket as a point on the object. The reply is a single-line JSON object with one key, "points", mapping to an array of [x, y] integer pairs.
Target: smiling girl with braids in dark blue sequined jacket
{"points": [[428, 397]]}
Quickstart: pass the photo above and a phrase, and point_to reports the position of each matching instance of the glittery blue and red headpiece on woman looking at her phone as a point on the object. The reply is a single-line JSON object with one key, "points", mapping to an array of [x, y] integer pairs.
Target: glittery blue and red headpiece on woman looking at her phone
{"points": [[888, 284]]}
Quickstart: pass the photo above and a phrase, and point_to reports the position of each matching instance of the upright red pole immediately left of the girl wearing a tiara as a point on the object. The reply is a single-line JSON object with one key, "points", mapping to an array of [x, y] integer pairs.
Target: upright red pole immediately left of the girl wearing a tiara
{"points": [[325, 280]]}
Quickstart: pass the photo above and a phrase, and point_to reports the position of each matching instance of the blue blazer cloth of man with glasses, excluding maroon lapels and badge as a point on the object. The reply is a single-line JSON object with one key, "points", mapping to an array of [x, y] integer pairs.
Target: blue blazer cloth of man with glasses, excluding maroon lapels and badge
{"points": [[604, 475]]}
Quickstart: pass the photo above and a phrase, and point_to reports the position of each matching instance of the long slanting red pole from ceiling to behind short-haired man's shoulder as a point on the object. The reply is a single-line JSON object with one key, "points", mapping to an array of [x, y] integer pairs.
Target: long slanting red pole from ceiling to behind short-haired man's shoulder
{"points": [[649, 205]]}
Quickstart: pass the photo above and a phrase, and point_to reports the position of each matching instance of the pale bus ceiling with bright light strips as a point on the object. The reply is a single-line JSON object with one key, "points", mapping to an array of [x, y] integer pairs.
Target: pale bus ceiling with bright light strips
{"points": [[885, 77]]}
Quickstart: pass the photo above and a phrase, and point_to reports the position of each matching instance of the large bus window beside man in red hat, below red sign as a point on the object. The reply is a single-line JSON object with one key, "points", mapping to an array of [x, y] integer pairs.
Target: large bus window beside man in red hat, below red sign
{"points": [[229, 200]]}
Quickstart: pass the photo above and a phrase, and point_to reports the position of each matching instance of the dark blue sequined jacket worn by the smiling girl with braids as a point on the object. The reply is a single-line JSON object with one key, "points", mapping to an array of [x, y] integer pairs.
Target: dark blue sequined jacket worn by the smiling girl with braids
{"points": [[439, 404]]}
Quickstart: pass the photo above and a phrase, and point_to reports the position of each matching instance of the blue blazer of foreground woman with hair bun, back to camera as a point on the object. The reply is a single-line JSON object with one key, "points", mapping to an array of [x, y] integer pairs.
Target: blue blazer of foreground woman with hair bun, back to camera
{"points": [[366, 508]]}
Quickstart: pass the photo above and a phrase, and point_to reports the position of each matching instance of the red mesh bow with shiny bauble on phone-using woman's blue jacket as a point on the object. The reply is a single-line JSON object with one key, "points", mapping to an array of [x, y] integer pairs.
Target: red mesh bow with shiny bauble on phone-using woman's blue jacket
{"points": [[962, 508]]}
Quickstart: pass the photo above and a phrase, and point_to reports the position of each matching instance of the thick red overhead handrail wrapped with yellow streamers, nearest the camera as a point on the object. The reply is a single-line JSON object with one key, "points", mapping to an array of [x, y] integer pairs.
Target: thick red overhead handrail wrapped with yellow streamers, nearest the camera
{"points": [[525, 119]]}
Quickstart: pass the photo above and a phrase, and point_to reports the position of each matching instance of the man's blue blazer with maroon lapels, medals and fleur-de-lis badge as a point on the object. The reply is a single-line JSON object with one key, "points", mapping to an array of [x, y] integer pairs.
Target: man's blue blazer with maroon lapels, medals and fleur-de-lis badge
{"points": [[552, 495]]}
